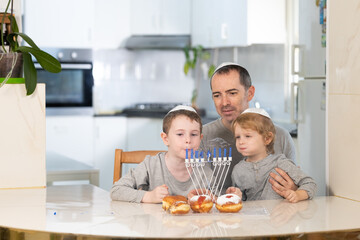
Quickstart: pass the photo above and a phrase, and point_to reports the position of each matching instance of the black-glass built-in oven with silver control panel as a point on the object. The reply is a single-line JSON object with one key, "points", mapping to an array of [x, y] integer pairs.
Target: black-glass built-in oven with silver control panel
{"points": [[73, 86]]}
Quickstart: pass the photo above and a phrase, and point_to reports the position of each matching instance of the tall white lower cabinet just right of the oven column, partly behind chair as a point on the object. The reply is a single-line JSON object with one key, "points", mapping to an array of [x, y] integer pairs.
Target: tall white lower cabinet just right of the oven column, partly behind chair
{"points": [[109, 134]]}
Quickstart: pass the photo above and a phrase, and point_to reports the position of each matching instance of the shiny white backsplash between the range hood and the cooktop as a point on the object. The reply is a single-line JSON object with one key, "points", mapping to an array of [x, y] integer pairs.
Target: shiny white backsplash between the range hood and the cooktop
{"points": [[123, 78]]}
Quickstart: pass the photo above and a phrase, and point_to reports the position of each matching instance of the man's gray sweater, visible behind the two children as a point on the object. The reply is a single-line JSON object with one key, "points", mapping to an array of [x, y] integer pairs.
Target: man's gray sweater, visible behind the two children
{"points": [[217, 135]]}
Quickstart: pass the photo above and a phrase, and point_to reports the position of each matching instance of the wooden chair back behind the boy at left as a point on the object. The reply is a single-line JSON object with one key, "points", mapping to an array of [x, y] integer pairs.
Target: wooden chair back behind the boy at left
{"points": [[129, 157]]}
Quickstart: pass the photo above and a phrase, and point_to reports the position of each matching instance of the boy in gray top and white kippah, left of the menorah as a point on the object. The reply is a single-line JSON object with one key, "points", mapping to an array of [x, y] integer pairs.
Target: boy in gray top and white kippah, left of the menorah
{"points": [[165, 173]]}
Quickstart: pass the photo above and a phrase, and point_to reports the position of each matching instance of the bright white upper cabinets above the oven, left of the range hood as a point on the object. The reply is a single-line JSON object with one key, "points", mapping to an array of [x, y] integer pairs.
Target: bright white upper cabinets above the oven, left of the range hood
{"points": [[77, 24]]}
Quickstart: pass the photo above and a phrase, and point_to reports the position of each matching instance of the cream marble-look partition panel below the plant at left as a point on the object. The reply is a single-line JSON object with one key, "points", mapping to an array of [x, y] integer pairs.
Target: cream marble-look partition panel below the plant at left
{"points": [[22, 137]]}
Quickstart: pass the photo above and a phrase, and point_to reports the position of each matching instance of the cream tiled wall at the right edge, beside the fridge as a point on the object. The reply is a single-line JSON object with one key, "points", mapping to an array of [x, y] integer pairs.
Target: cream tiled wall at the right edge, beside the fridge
{"points": [[343, 115]]}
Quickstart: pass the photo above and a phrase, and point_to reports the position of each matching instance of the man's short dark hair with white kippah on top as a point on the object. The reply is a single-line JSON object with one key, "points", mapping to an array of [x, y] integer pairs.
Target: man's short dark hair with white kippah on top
{"points": [[226, 67]]}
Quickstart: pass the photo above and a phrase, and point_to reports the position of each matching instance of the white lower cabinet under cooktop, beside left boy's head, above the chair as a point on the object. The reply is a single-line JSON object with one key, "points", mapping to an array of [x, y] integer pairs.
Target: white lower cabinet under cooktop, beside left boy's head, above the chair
{"points": [[144, 134]]}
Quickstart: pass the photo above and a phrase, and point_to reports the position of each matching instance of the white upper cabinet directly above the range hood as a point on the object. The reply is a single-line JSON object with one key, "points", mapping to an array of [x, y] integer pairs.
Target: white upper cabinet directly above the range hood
{"points": [[160, 17]]}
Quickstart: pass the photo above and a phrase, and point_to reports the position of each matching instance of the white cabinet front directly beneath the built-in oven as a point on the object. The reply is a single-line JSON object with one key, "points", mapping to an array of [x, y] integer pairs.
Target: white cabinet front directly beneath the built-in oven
{"points": [[71, 136]]}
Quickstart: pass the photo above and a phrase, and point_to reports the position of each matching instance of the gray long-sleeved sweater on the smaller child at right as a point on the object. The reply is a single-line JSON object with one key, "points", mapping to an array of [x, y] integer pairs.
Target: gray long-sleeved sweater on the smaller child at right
{"points": [[253, 177]]}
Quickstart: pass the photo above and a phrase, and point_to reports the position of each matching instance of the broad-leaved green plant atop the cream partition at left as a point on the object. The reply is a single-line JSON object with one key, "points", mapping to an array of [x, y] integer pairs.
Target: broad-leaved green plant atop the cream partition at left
{"points": [[22, 55]]}
